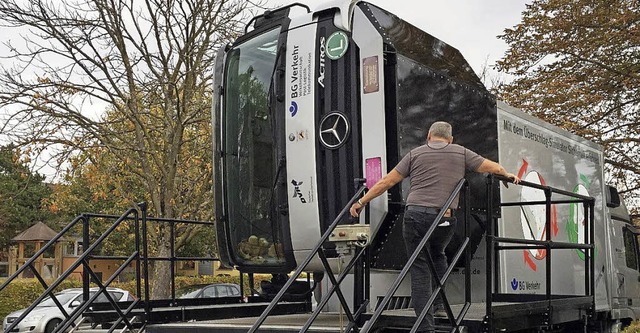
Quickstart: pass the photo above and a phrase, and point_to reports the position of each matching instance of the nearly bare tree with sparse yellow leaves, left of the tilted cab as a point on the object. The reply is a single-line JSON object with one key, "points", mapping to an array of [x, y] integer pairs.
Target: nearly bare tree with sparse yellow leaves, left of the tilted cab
{"points": [[148, 63]]}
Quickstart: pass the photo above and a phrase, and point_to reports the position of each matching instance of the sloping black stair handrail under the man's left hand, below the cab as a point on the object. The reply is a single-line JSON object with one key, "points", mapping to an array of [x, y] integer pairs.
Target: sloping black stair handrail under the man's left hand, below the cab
{"points": [[317, 250]]}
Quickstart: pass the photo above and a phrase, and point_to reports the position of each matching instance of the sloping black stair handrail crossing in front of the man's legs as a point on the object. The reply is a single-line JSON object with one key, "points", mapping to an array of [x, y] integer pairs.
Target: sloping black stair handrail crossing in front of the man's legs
{"points": [[405, 270]]}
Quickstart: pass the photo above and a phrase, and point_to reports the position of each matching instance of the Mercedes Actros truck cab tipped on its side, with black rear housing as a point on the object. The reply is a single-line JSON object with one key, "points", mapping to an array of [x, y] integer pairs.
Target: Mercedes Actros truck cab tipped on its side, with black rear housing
{"points": [[311, 102]]}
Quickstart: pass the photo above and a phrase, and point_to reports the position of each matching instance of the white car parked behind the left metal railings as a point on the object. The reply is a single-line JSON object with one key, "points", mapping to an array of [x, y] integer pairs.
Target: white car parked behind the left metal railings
{"points": [[46, 316]]}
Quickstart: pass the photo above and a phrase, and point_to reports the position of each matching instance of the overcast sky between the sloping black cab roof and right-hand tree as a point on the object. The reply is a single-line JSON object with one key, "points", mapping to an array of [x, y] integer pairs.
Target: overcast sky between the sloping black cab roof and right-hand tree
{"points": [[471, 26]]}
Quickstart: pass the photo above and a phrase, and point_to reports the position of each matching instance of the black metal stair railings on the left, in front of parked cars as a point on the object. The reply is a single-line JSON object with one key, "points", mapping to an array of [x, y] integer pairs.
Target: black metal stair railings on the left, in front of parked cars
{"points": [[122, 316]]}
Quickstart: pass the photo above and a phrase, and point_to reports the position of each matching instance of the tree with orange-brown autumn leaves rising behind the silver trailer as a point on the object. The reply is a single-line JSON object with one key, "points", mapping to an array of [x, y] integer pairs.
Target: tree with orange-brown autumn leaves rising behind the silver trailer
{"points": [[577, 65]]}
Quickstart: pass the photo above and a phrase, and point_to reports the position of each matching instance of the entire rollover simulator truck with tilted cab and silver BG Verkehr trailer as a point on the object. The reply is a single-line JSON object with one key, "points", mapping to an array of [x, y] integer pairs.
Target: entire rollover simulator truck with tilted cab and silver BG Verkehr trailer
{"points": [[311, 104]]}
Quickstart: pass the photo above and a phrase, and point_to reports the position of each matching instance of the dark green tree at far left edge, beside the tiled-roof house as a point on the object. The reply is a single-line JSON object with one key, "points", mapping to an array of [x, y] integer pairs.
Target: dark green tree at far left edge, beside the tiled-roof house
{"points": [[22, 195]]}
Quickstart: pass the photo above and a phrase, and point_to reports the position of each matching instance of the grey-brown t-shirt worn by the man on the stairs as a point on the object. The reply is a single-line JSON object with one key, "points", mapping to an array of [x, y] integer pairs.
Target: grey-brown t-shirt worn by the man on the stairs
{"points": [[434, 170]]}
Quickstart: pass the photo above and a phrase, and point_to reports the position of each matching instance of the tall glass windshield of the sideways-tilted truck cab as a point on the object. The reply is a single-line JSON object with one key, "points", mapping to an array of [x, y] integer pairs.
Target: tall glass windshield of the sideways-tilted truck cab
{"points": [[249, 168]]}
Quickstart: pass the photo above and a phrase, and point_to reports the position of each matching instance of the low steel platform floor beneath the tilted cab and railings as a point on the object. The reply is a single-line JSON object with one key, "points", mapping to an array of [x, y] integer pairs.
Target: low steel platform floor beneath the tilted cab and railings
{"points": [[506, 316]]}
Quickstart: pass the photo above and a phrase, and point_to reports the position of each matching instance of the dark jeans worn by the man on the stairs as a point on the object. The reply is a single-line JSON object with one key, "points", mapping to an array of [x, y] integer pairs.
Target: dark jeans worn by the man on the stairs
{"points": [[414, 228]]}
